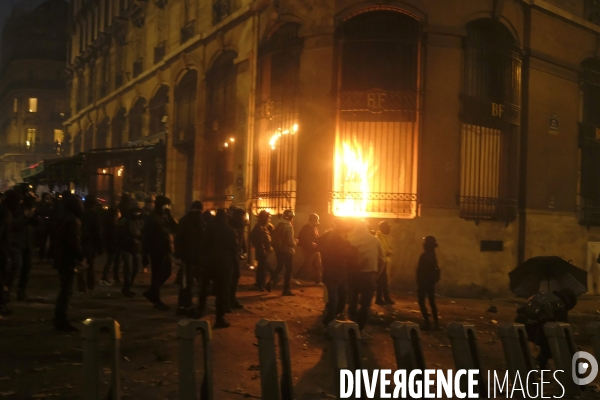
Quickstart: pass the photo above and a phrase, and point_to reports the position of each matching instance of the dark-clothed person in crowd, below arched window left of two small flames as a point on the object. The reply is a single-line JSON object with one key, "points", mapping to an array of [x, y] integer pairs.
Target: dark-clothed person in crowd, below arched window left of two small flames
{"points": [[188, 248]]}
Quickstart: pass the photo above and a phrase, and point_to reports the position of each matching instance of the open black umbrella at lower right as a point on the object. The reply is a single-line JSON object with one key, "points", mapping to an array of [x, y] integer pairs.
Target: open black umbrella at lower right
{"points": [[546, 274]]}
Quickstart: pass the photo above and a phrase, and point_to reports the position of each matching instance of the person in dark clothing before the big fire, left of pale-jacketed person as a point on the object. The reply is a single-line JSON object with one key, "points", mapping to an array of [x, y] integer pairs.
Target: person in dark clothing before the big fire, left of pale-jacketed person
{"points": [[335, 251]]}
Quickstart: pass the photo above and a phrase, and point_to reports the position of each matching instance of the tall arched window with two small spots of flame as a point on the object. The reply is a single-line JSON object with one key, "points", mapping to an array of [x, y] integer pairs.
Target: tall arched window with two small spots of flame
{"points": [[220, 129]]}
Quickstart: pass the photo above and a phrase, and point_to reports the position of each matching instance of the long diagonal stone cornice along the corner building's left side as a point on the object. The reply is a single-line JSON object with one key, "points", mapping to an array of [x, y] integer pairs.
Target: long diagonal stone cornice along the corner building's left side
{"points": [[201, 38]]}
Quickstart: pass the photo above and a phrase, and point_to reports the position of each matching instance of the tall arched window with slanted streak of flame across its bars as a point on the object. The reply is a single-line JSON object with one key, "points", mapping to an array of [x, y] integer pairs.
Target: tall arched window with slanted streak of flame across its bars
{"points": [[277, 121]]}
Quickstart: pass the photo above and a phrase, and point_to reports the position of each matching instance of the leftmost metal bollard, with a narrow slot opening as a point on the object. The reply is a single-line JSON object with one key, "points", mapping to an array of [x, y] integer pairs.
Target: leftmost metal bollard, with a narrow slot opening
{"points": [[92, 328]]}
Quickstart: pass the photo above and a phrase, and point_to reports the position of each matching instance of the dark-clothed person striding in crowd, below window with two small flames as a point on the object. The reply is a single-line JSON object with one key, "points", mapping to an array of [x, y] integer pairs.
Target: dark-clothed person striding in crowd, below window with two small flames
{"points": [[220, 248]]}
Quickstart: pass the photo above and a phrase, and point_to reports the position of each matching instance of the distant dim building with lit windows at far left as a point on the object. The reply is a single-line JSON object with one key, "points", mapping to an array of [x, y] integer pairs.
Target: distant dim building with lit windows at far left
{"points": [[33, 90]]}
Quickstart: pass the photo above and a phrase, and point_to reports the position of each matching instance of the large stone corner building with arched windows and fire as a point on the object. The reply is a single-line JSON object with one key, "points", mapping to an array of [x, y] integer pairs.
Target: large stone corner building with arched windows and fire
{"points": [[475, 121]]}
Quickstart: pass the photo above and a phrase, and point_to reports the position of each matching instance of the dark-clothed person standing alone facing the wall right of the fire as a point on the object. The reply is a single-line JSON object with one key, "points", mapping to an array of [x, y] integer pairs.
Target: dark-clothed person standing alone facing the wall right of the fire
{"points": [[428, 274]]}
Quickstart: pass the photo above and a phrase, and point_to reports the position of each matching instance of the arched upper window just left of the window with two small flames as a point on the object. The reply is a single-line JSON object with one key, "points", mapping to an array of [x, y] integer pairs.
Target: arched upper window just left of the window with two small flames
{"points": [[185, 106]]}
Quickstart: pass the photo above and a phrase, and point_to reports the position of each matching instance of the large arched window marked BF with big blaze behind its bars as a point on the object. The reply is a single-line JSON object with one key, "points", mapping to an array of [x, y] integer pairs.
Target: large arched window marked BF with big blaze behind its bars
{"points": [[375, 160]]}
